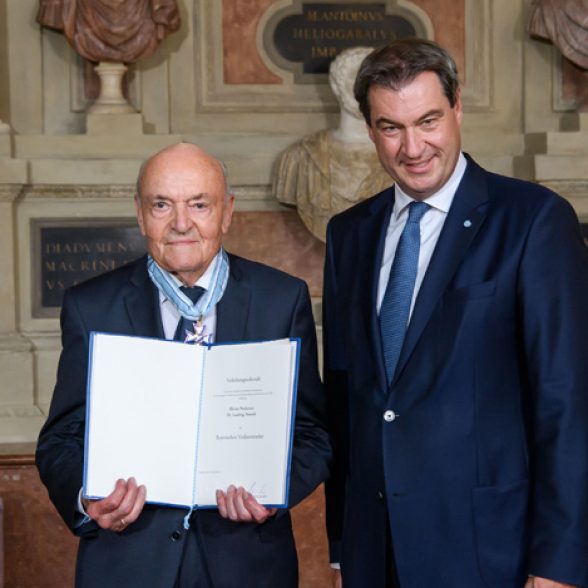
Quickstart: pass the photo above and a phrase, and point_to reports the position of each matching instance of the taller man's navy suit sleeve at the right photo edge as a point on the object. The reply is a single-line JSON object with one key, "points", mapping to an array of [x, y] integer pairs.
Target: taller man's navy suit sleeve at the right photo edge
{"points": [[553, 294]]}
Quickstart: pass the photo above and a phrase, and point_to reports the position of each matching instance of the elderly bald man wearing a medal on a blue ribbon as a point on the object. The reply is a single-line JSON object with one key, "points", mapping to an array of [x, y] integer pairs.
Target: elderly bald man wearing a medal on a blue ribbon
{"points": [[183, 207]]}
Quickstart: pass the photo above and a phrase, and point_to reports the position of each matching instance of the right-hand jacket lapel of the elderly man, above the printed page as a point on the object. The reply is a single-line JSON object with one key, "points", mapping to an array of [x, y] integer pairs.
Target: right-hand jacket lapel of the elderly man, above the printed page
{"points": [[233, 308]]}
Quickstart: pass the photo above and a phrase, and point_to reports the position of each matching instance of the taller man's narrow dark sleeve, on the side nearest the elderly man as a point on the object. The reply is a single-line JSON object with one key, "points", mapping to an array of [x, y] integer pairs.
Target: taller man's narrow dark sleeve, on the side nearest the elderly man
{"points": [[335, 378]]}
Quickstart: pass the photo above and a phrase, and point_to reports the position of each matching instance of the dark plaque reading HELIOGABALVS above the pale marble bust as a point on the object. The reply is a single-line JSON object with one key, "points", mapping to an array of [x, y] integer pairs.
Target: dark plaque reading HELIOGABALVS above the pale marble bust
{"points": [[307, 42]]}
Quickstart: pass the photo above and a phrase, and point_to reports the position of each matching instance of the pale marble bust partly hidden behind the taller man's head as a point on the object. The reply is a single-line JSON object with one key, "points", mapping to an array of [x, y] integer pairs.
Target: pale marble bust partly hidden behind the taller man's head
{"points": [[328, 171]]}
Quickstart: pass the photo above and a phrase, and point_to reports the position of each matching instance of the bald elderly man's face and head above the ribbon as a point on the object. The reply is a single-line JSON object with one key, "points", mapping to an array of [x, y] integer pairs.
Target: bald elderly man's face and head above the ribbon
{"points": [[183, 210]]}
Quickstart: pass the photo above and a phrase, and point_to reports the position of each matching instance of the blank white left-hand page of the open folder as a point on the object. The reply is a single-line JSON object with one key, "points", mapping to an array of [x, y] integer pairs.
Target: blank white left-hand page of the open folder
{"points": [[143, 412]]}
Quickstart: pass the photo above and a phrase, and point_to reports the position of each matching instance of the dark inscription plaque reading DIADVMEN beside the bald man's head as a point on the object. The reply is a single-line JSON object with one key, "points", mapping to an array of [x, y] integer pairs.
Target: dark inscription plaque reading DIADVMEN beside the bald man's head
{"points": [[72, 251]]}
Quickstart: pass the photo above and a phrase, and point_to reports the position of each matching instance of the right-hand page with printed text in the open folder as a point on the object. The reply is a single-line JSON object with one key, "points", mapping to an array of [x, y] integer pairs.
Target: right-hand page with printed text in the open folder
{"points": [[246, 424]]}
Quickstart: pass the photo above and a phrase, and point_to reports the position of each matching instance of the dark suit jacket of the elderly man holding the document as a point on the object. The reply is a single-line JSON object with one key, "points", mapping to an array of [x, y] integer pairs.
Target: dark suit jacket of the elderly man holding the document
{"points": [[259, 303]]}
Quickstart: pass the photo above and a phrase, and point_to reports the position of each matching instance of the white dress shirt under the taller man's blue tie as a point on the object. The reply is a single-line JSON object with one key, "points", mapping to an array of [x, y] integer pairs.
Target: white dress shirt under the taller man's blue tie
{"points": [[431, 225]]}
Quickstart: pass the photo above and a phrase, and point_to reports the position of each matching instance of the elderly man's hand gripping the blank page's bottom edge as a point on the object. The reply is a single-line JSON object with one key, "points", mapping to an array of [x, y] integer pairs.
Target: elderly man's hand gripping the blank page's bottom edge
{"points": [[120, 508]]}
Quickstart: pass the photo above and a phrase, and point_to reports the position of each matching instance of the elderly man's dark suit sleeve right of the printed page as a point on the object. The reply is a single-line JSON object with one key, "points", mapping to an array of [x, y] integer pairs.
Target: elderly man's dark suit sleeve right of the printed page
{"points": [[311, 455]]}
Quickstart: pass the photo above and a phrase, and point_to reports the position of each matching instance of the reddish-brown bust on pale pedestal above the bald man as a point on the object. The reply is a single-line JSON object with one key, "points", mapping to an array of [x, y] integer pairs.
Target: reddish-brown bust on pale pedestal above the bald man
{"points": [[113, 33]]}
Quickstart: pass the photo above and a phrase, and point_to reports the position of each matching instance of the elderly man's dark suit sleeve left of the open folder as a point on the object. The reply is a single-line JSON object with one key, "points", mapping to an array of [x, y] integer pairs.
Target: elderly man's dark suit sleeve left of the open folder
{"points": [[60, 449]]}
